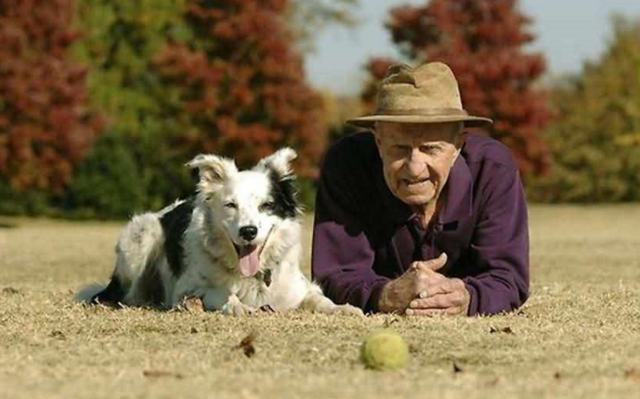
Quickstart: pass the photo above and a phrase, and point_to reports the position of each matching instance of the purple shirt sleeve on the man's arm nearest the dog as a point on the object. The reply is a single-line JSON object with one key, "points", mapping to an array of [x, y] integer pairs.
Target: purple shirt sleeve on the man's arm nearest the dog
{"points": [[342, 257]]}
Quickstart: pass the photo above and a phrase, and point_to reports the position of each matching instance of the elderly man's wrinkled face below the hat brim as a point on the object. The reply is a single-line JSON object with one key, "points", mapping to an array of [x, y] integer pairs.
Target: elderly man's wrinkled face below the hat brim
{"points": [[417, 158]]}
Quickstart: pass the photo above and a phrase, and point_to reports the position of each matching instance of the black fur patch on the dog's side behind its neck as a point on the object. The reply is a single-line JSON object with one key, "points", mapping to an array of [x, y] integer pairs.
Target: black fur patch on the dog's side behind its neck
{"points": [[174, 224]]}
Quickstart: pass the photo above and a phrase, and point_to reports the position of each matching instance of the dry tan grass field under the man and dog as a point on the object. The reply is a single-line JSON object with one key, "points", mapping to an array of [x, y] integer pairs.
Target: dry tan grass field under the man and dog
{"points": [[578, 336]]}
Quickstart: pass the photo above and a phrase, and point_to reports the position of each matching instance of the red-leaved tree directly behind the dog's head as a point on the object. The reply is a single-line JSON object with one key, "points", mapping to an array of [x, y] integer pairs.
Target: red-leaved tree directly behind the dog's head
{"points": [[243, 85]]}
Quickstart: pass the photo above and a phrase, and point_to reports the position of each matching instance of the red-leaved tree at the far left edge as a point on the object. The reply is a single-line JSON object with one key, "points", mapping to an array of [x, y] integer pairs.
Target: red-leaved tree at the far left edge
{"points": [[45, 128]]}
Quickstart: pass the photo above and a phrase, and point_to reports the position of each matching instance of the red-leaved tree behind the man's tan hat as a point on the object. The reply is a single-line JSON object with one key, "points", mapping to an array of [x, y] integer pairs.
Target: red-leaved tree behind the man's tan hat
{"points": [[481, 40]]}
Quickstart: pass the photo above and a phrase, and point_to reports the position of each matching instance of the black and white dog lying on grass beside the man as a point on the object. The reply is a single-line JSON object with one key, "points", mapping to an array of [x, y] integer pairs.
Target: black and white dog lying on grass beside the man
{"points": [[236, 245]]}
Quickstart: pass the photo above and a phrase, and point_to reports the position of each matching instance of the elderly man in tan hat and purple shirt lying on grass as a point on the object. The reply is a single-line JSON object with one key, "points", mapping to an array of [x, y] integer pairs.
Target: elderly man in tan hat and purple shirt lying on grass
{"points": [[417, 217]]}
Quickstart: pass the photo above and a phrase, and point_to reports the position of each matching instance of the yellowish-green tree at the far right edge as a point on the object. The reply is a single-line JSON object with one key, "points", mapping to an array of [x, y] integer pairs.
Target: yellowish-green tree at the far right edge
{"points": [[595, 139]]}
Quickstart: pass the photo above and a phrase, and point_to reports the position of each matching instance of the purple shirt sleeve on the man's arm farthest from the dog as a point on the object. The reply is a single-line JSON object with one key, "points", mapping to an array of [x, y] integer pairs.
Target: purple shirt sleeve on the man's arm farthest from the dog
{"points": [[500, 247]]}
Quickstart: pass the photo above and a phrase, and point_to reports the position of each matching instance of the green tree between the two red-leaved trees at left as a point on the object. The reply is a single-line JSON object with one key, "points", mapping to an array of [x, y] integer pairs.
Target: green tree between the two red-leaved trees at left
{"points": [[121, 41]]}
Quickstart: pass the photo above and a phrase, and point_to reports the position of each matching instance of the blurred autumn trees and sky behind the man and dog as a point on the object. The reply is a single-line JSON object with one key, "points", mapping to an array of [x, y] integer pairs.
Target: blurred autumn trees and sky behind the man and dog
{"points": [[103, 101]]}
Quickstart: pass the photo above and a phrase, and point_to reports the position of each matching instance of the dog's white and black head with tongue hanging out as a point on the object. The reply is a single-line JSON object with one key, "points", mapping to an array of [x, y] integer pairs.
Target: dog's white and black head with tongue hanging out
{"points": [[247, 204]]}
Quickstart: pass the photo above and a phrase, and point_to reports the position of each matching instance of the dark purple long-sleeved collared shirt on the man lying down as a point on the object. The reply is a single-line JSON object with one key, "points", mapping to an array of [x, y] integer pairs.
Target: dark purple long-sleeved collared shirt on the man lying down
{"points": [[364, 236]]}
